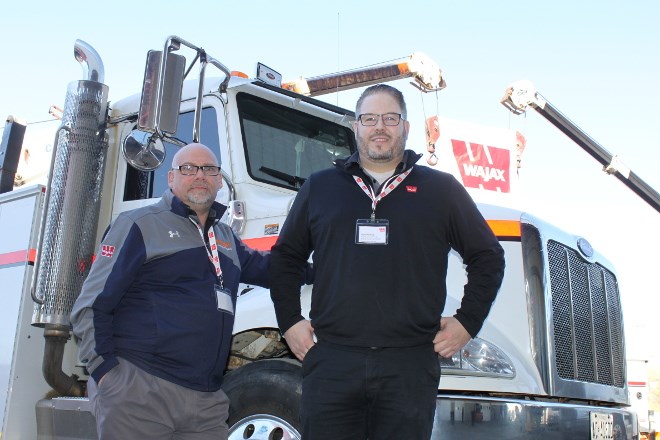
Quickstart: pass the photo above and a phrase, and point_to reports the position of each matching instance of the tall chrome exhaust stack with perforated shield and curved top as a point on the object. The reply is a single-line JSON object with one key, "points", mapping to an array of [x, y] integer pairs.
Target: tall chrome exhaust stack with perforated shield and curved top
{"points": [[72, 206]]}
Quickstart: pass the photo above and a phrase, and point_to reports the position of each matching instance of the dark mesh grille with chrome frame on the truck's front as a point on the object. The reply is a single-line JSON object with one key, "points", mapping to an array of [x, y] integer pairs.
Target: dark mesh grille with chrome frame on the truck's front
{"points": [[588, 331]]}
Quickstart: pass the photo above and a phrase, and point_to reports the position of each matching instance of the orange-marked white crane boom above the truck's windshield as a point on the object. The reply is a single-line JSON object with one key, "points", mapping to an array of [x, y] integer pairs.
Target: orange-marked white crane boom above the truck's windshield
{"points": [[425, 72]]}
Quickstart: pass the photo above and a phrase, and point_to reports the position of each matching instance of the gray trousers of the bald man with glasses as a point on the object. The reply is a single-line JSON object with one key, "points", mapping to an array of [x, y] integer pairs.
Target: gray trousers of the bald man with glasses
{"points": [[132, 404]]}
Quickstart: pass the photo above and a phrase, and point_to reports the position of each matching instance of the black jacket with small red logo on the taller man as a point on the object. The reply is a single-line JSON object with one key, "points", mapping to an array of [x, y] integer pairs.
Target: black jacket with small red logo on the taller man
{"points": [[388, 295]]}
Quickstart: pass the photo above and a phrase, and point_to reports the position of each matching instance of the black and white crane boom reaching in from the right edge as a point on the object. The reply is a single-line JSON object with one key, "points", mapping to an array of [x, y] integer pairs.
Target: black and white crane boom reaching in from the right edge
{"points": [[522, 94]]}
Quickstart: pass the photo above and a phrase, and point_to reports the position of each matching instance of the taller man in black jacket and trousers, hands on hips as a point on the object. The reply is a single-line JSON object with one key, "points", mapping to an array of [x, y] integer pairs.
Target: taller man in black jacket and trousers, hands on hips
{"points": [[381, 229]]}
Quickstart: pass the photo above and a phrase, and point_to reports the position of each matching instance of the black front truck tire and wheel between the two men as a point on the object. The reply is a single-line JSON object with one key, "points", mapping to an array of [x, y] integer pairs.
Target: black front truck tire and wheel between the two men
{"points": [[264, 400]]}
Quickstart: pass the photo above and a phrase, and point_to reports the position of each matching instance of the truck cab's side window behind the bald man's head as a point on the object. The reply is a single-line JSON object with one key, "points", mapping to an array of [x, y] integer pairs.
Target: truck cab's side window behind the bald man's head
{"points": [[149, 184]]}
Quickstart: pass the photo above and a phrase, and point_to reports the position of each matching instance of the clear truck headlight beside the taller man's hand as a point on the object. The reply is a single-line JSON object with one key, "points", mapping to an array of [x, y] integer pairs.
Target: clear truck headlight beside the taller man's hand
{"points": [[478, 358]]}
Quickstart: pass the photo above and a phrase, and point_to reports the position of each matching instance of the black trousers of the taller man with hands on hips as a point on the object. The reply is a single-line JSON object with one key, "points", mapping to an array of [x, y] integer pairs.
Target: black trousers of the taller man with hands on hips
{"points": [[356, 393]]}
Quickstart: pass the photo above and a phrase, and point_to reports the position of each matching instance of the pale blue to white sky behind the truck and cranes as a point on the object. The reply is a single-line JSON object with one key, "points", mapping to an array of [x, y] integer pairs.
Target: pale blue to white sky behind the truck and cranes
{"points": [[598, 62]]}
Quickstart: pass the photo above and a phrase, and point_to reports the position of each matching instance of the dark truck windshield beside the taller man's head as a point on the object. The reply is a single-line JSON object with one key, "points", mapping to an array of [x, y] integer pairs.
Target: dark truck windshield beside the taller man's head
{"points": [[284, 146]]}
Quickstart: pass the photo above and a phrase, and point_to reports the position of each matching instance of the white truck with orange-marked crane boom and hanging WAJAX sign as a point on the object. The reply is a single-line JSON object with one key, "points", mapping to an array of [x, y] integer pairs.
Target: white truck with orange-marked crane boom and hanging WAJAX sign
{"points": [[549, 362]]}
